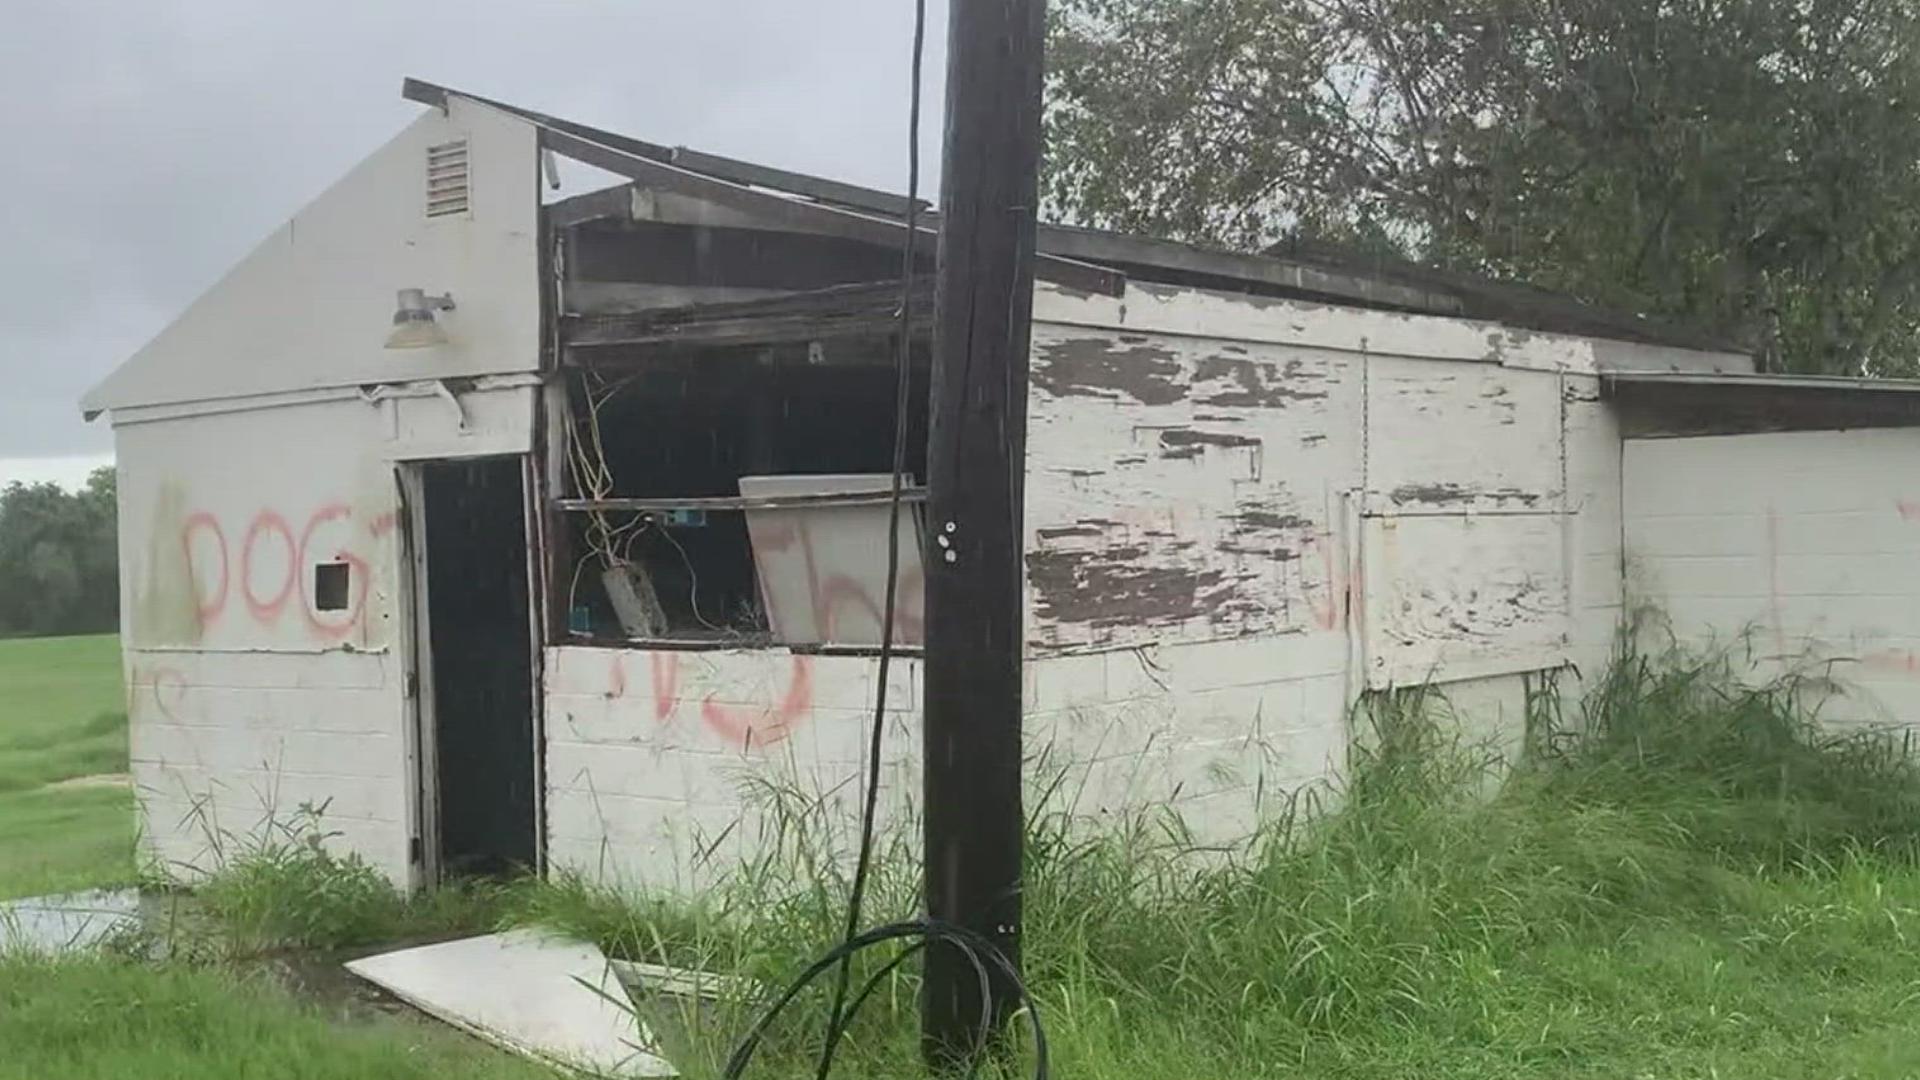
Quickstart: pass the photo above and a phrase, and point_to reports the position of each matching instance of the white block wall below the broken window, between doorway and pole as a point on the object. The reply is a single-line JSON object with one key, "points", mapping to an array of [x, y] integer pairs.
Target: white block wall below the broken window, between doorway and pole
{"points": [[663, 764]]}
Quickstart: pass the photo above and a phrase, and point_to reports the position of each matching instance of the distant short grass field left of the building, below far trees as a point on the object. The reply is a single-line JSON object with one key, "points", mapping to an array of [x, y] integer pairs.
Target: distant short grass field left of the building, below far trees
{"points": [[62, 716]]}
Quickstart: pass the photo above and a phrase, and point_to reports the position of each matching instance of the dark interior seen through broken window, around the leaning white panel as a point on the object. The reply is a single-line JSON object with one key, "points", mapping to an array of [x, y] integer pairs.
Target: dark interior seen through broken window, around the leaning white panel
{"points": [[677, 424]]}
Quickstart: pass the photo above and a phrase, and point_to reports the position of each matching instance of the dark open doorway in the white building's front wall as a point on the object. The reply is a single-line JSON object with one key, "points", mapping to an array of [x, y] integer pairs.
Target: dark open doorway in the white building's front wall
{"points": [[483, 670]]}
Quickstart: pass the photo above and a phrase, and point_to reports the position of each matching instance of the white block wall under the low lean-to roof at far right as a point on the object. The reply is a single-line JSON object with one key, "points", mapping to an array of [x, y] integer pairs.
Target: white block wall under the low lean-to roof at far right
{"points": [[1794, 551]]}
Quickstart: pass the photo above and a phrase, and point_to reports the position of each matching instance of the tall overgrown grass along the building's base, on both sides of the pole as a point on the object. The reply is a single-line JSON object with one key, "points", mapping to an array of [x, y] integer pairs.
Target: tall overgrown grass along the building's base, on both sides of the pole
{"points": [[1685, 877]]}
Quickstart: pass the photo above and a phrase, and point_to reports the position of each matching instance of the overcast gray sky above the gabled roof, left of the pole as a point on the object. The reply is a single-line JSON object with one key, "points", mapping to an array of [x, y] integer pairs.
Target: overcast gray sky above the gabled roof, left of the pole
{"points": [[151, 145]]}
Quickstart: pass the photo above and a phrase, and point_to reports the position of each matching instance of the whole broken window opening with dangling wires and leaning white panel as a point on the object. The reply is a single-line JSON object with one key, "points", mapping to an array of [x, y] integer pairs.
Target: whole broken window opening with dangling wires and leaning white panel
{"points": [[738, 497]]}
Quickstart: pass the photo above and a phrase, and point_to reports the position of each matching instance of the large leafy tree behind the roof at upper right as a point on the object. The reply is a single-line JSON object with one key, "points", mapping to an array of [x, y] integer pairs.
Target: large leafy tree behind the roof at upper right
{"points": [[1748, 166]]}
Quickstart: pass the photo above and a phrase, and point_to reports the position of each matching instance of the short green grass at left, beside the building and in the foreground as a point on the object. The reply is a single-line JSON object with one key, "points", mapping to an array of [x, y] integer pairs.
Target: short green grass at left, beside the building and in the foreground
{"points": [[62, 716]]}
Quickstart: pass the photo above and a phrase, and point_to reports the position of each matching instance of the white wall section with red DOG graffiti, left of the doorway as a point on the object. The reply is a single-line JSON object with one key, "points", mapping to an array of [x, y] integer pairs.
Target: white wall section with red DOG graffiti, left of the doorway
{"points": [[247, 699]]}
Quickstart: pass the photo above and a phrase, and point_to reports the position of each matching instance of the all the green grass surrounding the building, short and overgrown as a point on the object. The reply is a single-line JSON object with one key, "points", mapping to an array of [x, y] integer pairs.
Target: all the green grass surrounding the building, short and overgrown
{"points": [[1689, 883]]}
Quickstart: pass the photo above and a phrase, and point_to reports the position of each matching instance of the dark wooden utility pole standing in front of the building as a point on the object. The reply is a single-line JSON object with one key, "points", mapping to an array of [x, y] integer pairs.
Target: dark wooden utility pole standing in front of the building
{"points": [[976, 479]]}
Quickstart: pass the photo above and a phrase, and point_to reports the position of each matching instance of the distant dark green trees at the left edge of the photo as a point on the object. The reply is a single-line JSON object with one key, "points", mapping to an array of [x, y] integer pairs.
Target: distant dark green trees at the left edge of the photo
{"points": [[59, 558]]}
